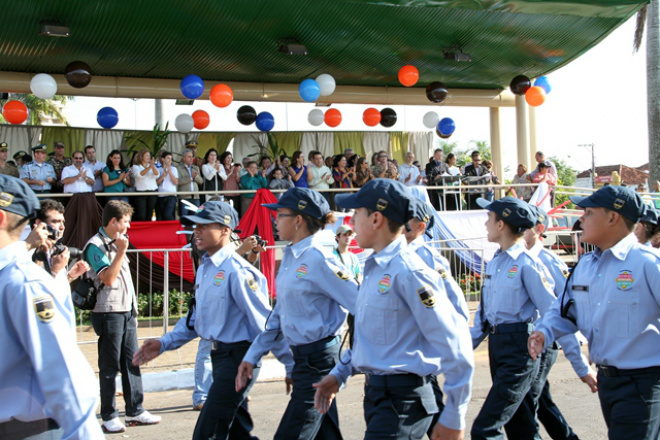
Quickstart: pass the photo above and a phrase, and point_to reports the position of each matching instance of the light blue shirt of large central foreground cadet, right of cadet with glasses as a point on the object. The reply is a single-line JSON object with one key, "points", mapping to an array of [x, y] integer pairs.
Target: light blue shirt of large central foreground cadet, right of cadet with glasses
{"points": [[405, 324]]}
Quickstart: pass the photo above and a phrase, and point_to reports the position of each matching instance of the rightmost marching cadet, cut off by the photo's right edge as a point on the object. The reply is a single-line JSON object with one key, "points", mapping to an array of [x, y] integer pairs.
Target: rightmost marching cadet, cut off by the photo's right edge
{"points": [[612, 297]]}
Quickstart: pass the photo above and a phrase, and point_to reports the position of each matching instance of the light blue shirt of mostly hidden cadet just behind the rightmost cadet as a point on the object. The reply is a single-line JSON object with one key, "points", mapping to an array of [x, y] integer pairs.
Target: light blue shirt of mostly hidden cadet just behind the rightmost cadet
{"points": [[558, 271]]}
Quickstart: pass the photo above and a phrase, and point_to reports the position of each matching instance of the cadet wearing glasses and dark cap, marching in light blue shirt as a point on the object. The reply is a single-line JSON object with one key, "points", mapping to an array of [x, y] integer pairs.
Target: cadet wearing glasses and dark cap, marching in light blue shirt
{"points": [[313, 293]]}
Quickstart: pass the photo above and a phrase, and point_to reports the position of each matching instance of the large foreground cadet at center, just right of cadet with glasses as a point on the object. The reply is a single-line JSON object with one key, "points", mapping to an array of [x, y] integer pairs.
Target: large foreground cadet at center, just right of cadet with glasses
{"points": [[404, 328]]}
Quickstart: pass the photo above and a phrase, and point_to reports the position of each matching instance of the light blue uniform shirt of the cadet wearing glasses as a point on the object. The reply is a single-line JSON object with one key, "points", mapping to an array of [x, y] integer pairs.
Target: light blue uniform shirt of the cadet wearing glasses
{"points": [[313, 293]]}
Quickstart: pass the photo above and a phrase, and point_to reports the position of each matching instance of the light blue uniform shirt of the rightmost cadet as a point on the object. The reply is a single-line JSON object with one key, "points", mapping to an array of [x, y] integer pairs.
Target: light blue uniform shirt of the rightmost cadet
{"points": [[616, 297]]}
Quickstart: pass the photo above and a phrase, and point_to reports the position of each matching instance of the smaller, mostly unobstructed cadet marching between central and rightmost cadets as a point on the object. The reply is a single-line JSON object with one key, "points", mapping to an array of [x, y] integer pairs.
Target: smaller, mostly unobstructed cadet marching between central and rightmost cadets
{"points": [[515, 289]]}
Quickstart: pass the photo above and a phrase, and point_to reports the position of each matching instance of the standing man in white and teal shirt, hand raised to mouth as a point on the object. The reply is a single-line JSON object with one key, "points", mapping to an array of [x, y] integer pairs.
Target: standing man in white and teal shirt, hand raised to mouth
{"points": [[114, 317]]}
